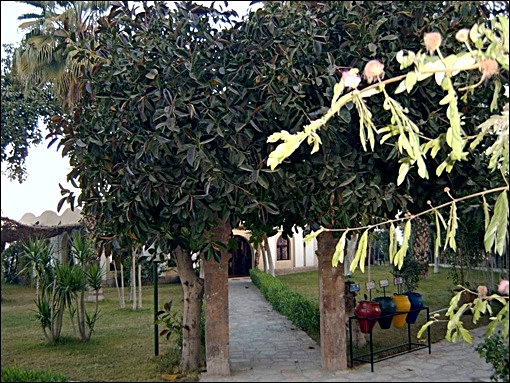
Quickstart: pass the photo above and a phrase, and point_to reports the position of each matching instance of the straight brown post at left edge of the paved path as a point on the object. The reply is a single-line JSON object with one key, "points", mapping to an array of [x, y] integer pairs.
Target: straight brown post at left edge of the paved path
{"points": [[216, 306]]}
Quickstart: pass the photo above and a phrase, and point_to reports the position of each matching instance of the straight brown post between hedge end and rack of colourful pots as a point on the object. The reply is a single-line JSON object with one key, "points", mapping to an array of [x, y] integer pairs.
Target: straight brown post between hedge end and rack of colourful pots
{"points": [[332, 305]]}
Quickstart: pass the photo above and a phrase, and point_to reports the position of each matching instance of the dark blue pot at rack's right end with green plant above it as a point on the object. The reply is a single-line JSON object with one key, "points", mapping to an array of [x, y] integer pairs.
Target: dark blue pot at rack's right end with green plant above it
{"points": [[410, 273]]}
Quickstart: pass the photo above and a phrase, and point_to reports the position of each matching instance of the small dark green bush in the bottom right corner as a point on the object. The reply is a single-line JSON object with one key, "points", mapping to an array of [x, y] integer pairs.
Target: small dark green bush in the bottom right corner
{"points": [[495, 351]]}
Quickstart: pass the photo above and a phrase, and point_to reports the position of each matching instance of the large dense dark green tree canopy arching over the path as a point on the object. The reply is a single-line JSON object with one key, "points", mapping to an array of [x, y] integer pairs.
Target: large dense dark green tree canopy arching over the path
{"points": [[174, 136]]}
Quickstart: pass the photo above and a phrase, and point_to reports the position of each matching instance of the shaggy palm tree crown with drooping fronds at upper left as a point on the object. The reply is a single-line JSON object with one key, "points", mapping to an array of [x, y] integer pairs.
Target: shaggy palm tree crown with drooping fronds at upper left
{"points": [[43, 56]]}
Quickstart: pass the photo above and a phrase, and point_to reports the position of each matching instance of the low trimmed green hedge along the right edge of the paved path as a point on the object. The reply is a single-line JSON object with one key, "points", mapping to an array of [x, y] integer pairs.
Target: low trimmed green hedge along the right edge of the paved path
{"points": [[303, 312]]}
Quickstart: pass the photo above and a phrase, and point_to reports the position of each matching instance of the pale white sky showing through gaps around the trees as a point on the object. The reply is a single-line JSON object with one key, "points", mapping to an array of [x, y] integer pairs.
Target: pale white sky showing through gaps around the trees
{"points": [[46, 167]]}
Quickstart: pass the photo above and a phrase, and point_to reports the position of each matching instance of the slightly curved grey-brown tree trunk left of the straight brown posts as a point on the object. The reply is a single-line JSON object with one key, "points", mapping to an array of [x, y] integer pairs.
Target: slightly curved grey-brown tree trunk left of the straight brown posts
{"points": [[193, 289]]}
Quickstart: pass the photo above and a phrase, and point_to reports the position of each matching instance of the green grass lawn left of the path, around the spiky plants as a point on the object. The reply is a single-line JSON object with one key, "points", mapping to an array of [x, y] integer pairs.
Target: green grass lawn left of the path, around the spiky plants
{"points": [[122, 348]]}
